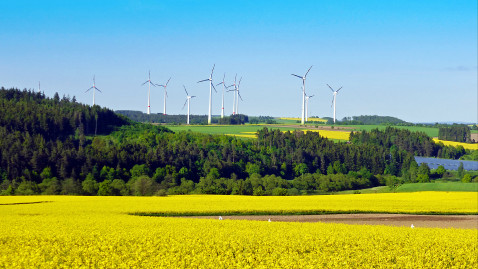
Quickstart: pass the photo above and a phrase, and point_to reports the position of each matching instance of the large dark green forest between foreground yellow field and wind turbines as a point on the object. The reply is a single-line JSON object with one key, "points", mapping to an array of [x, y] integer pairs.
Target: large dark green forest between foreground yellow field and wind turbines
{"points": [[49, 146]]}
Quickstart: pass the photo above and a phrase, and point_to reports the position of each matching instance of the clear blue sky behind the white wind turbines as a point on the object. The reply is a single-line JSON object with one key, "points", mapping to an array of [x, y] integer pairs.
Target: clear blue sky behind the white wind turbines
{"points": [[415, 60]]}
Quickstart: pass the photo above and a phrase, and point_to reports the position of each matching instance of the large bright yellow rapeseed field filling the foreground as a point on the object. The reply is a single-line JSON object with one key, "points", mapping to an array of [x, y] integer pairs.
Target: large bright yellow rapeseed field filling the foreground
{"points": [[96, 232]]}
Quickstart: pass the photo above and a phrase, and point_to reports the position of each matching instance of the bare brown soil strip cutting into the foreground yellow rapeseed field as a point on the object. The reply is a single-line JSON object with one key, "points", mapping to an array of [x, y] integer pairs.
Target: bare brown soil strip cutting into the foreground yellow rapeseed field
{"points": [[428, 221]]}
